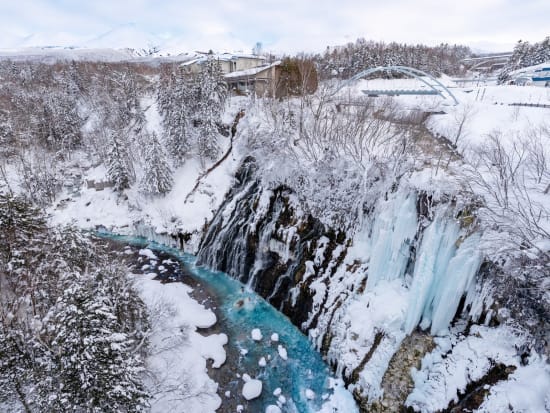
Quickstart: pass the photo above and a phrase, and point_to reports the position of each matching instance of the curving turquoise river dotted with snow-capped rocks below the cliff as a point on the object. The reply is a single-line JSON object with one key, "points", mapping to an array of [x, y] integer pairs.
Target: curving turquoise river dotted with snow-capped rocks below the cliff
{"points": [[304, 379]]}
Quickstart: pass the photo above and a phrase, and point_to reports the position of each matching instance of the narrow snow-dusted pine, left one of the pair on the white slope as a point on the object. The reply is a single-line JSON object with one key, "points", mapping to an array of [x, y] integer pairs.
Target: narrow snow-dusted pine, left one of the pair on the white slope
{"points": [[119, 164]]}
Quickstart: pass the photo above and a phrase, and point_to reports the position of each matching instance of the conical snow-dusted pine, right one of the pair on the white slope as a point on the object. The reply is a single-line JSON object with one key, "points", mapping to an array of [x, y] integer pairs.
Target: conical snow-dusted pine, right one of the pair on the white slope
{"points": [[157, 178]]}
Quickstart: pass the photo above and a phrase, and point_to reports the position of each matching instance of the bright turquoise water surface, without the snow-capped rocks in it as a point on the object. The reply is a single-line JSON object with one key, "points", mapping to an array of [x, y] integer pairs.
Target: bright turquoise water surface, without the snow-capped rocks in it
{"points": [[241, 310]]}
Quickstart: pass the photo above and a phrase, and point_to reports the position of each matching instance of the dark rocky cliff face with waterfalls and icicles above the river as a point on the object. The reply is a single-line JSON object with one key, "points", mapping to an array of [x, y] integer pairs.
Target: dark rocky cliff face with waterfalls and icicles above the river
{"points": [[373, 300]]}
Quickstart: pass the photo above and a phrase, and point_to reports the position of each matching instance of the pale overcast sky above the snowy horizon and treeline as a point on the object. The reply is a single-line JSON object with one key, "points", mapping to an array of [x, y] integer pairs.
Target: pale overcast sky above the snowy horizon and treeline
{"points": [[281, 25]]}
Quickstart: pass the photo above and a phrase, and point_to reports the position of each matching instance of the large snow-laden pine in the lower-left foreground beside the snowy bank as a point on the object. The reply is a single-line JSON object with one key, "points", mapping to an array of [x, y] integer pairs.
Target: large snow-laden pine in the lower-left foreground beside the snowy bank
{"points": [[89, 363]]}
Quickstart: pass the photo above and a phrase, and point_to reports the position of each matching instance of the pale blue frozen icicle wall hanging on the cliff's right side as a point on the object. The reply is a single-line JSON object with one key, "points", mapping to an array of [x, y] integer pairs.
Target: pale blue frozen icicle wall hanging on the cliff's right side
{"points": [[441, 271]]}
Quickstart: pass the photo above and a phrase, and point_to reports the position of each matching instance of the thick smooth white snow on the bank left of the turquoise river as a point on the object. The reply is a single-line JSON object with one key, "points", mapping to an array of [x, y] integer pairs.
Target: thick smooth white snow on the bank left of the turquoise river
{"points": [[176, 365]]}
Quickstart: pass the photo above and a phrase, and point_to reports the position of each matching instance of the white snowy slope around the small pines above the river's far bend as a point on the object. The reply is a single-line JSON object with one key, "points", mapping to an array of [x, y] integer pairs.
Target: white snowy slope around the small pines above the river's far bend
{"points": [[171, 213]]}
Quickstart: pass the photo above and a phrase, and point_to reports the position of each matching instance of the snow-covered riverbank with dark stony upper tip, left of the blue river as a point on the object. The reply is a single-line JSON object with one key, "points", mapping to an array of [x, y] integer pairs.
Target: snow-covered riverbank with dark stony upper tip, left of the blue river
{"points": [[180, 310]]}
